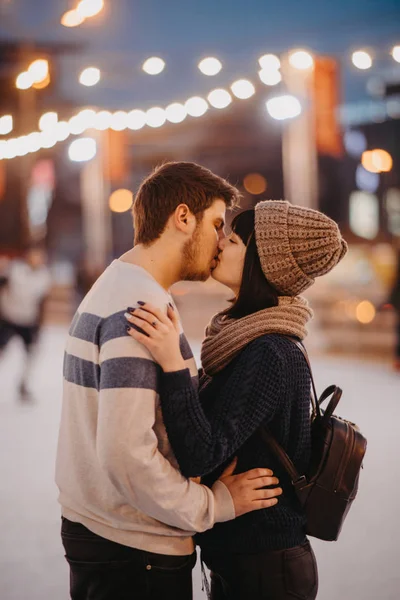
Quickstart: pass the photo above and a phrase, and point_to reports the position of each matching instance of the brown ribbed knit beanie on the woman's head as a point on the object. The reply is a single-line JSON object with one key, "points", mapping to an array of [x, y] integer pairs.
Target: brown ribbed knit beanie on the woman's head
{"points": [[295, 245]]}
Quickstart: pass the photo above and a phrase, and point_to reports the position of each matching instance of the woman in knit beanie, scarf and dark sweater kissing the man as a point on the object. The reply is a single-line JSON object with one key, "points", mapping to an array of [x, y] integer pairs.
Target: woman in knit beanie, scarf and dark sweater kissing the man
{"points": [[253, 375]]}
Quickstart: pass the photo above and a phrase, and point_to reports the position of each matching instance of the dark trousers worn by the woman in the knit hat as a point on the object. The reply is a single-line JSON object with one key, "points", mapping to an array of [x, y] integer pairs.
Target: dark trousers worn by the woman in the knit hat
{"points": [[278, 575]]}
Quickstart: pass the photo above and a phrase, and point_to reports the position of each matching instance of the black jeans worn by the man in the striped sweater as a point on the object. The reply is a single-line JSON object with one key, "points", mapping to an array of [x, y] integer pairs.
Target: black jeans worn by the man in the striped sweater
{"points": [[104, 570]]}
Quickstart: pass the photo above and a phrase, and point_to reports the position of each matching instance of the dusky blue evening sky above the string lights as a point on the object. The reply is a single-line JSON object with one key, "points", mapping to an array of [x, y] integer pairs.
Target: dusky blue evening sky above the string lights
{"points": [[237, 32]]}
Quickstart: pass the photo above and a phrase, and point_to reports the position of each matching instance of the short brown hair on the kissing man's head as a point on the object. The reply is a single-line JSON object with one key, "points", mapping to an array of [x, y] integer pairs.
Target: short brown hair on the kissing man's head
{"points": [[175, 183]]}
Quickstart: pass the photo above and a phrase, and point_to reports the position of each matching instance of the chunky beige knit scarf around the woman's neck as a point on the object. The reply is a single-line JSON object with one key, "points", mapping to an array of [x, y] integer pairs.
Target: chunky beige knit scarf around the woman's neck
{"points": [[226, 337]]}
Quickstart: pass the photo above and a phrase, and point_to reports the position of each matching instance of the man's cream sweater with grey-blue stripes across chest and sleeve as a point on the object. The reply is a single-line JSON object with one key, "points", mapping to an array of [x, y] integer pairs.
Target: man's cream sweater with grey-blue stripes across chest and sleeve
{"points": [[115, 468]]}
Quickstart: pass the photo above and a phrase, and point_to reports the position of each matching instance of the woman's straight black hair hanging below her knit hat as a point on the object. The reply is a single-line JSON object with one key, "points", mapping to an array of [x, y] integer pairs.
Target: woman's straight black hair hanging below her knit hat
{"points": [[255, 292]]}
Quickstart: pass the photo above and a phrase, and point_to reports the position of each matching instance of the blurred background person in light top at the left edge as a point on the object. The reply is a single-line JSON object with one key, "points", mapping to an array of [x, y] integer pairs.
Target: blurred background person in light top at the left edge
{"points": [[25, 283]]}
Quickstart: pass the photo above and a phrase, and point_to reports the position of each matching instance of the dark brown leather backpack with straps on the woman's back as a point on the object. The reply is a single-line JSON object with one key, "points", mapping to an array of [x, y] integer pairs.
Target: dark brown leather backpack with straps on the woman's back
{"points": [[327, 491]]}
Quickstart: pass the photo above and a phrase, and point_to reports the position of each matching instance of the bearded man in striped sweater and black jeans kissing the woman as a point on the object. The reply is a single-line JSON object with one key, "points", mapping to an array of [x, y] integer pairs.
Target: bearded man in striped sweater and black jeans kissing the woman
{"points": [[128, 515]]}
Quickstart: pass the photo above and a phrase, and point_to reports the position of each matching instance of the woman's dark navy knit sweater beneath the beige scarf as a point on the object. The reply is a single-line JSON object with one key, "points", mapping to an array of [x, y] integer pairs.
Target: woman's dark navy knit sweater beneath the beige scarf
{"points": [[268, 382]]}
